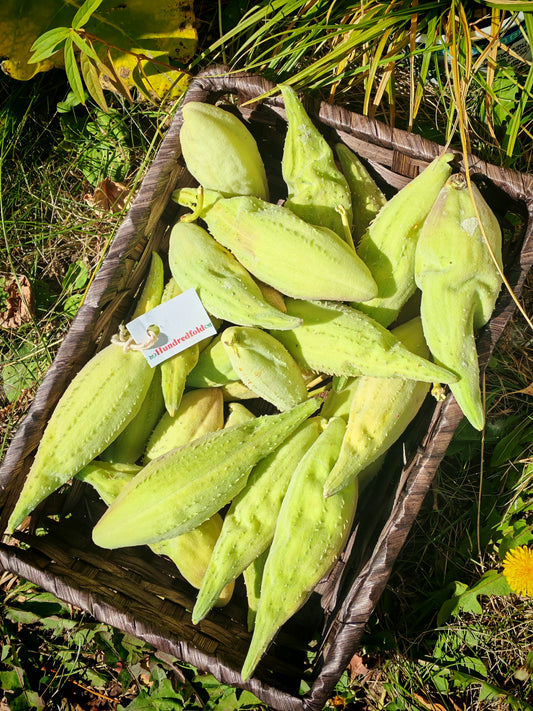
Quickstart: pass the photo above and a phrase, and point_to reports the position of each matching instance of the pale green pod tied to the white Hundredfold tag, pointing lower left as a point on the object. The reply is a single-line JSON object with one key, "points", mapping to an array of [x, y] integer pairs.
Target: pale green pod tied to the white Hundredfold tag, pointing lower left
{"points": [[96, 406]]}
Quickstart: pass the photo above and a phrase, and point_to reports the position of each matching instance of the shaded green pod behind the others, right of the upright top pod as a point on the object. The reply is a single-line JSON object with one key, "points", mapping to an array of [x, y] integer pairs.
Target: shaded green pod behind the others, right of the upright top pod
{"points": [[367, 198]]}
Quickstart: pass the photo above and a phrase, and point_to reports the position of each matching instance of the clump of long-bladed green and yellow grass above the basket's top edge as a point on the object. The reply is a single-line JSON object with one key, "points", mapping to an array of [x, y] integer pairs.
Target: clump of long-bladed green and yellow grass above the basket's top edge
{"points": [[439, 68]]}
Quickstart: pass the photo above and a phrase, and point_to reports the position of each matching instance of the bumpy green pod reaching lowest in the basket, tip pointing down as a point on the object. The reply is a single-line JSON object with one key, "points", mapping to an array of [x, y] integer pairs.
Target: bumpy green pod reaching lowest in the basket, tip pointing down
{"points": [[311, 532]]}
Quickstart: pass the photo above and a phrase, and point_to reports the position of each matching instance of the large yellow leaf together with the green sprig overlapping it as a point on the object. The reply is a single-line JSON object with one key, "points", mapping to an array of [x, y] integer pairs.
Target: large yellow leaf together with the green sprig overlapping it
{"points": [[102, 46]]}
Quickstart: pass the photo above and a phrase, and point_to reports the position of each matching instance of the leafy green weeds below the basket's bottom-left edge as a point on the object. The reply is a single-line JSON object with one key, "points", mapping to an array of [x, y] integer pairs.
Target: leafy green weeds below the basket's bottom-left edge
{"points": [[52, 652]]}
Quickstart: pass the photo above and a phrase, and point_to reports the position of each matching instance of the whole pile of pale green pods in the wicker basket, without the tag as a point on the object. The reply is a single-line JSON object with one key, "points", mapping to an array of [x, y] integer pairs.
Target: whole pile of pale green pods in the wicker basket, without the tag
{"points": [[313, 302]]}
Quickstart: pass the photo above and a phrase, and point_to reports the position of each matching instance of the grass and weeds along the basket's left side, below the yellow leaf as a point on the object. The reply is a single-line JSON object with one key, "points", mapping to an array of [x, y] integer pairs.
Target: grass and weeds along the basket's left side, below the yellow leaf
{"points": [[53, 232]]}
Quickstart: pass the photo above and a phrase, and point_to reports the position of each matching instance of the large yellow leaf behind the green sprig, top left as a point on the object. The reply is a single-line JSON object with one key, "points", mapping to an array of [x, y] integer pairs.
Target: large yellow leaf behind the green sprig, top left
{"points": [[143, 40]]}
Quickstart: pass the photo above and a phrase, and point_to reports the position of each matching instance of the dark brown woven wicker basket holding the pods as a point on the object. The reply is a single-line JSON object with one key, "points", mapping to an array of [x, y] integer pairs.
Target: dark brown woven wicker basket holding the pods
{"points": [[133, 590]]}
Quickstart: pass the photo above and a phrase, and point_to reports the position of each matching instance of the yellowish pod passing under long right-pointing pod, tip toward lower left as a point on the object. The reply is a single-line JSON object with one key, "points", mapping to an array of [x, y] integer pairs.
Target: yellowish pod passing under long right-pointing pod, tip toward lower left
{"points": [[380, 411]]}
